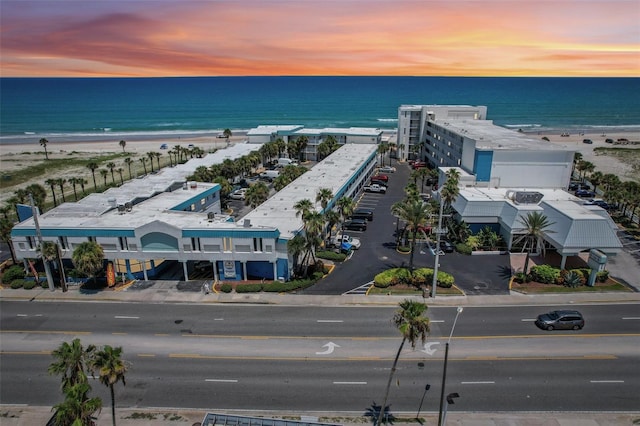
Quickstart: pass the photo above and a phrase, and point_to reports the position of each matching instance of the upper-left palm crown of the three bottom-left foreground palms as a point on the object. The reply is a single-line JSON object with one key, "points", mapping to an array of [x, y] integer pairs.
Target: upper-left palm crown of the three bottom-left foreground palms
{"points": [[71, 361]]}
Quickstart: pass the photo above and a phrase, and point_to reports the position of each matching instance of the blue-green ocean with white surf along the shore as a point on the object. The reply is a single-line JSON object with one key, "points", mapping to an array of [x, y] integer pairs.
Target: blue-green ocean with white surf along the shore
{"points": [[121, 108]]}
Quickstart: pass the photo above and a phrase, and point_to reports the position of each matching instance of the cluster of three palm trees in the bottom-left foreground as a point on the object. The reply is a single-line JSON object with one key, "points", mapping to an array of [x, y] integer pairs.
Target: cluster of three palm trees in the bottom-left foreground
{"points": [[74, 363]]}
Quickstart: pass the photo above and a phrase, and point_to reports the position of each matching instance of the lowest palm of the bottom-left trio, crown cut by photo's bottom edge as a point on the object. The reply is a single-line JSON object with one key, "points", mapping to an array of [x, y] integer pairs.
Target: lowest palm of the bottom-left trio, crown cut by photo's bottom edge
{"points": [[77, 408]]}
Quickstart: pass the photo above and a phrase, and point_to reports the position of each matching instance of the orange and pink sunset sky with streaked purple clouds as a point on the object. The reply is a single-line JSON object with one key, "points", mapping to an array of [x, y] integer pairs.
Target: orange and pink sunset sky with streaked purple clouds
{"points": [[320, 37]]}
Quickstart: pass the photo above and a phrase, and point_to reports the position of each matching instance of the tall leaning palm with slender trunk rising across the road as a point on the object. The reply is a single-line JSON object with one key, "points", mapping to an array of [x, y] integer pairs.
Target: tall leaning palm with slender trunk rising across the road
{"points": [[412, 323]]}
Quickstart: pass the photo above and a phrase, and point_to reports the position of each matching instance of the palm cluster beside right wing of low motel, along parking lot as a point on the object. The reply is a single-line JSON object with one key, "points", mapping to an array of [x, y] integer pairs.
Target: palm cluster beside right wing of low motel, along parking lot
{"points": [[317, 227]]}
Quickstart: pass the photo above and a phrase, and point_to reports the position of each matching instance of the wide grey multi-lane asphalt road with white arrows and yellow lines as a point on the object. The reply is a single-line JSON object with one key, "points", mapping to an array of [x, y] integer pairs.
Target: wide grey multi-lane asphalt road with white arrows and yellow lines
{"points": [[329, 358]]}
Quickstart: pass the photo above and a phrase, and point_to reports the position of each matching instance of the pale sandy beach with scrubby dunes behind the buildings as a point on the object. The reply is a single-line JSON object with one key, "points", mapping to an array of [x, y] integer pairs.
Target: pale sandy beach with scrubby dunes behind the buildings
{"points": [[14, 157]]}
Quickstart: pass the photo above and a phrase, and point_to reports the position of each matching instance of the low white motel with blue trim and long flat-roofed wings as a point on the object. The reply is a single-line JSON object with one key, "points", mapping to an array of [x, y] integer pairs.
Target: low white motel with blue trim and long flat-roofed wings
{"points": [[153, 223]]}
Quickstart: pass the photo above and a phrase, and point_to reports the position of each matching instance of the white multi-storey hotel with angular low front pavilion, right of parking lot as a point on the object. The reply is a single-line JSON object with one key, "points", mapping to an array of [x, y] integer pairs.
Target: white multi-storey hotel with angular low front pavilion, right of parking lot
{"points": [[504, 176]]}
